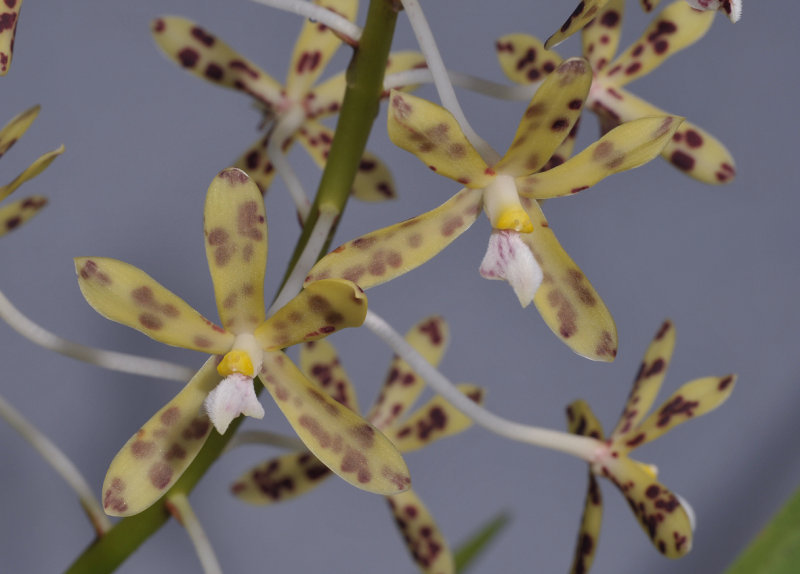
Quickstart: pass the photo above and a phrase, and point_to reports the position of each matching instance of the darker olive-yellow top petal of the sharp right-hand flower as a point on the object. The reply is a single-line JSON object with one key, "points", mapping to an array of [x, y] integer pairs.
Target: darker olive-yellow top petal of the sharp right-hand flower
{"points": [[548, 119]]}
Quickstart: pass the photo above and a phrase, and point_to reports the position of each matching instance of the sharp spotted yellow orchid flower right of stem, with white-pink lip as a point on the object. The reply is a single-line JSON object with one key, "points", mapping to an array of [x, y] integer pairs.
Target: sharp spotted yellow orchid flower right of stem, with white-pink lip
{"points": [[522, 248]]}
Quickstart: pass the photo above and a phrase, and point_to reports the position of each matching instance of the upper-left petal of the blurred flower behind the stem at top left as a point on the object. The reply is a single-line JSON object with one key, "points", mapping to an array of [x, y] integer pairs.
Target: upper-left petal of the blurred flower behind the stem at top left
{"points": [[201, 53]]}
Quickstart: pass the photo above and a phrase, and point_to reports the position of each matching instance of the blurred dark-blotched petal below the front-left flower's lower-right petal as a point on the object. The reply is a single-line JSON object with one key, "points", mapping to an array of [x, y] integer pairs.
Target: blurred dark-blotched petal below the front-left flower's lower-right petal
{"points": [[281, 478]]}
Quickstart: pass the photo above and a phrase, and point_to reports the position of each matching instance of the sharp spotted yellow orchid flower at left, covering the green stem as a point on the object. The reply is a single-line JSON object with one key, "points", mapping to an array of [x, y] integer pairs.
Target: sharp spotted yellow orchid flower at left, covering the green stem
{"points": [[250, 345]]}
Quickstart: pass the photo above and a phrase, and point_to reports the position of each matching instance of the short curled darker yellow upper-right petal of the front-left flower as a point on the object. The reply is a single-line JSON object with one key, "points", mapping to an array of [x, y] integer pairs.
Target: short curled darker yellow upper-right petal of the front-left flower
{"points": [[321, 308]]}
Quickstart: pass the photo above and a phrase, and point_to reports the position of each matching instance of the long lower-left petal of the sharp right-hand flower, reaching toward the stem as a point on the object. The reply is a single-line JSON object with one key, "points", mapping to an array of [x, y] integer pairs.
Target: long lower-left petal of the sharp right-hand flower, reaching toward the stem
{"points": [[387, 253]]}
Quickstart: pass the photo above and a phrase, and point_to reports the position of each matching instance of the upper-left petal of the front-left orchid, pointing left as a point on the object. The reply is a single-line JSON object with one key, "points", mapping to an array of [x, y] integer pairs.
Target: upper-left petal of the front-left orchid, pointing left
{"points": [[127, 295]]}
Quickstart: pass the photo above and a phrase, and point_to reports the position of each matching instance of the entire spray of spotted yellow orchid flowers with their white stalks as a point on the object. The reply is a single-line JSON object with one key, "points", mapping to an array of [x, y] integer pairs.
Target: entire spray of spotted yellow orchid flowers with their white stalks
{"points": [[247, 351]]}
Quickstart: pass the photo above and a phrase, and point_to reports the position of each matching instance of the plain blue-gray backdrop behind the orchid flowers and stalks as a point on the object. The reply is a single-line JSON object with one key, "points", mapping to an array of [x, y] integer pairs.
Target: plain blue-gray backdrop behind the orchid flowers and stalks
{"points": [[143, 142]]}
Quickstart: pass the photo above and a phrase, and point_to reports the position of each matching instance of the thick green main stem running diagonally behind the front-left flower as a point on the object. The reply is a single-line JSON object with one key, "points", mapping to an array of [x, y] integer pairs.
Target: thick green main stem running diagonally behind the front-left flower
{"points": [[359, 109]]}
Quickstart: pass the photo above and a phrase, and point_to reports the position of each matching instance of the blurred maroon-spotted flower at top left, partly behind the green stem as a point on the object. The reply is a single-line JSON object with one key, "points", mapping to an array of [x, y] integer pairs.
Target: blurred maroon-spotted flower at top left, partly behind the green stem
{"points": [[296, 107]]}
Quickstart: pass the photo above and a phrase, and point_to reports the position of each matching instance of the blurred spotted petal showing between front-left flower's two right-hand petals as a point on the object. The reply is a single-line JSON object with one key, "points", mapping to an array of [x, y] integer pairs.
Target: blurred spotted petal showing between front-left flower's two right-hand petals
{"points": [[319, 361]]}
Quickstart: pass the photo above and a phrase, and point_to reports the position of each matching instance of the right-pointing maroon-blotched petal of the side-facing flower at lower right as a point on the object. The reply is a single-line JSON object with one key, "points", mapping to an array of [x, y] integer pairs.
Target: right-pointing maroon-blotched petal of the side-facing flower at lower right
{"points": [[690, 401]]}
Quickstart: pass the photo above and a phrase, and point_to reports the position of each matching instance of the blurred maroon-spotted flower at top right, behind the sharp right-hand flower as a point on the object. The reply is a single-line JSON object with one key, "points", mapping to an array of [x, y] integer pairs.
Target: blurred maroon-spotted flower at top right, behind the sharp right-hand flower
{"points": [[694, 151]]}
